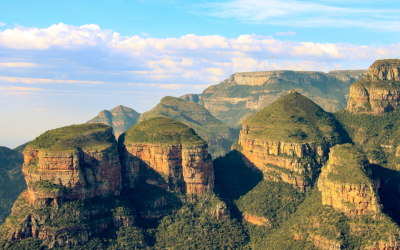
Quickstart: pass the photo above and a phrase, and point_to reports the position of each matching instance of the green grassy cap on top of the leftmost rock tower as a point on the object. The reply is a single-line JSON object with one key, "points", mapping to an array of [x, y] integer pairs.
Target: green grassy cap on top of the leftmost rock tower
{"points": [[70, 138]]}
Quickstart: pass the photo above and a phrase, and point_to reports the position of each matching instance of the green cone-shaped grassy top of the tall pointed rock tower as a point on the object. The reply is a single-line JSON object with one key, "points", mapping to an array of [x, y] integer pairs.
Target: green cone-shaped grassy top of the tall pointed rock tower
{"points": [[294, 118]]}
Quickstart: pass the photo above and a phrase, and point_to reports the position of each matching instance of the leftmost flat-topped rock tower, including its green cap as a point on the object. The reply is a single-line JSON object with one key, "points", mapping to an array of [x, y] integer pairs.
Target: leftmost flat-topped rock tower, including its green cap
{"points": [[69, 163]]}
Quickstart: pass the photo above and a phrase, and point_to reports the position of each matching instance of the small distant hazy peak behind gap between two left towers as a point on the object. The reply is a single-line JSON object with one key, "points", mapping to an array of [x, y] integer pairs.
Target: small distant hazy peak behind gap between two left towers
{"points": [[120, 118]]}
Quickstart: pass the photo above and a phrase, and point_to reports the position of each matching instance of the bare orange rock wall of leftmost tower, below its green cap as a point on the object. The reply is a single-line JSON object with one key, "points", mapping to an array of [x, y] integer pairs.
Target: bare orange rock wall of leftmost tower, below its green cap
{"points": [[53, 176]]}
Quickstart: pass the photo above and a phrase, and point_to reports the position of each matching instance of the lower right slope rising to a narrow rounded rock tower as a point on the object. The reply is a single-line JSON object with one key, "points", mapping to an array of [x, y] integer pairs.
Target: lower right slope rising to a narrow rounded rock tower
{"points": [[342, 214]]}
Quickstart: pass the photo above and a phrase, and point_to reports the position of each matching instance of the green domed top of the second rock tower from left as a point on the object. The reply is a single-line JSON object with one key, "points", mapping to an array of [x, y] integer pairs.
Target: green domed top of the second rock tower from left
{"points": [[162, 130]]}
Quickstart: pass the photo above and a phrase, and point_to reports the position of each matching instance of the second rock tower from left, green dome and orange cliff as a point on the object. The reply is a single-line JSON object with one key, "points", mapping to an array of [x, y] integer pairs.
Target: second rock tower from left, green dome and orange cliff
{"points": [[175, 159]]}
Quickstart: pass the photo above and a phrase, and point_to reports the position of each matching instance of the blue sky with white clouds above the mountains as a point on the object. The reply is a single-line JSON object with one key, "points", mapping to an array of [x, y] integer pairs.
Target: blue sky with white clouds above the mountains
{"points": [[62, 62]]}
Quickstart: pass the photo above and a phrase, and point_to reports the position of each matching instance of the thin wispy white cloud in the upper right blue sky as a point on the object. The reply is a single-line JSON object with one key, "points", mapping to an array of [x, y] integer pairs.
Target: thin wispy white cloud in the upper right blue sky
{"points": [[308, 14]]}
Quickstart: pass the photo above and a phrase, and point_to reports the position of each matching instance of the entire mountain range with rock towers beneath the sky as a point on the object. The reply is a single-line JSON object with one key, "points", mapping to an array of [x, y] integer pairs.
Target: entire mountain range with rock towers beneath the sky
{"points": [[298, 176]]}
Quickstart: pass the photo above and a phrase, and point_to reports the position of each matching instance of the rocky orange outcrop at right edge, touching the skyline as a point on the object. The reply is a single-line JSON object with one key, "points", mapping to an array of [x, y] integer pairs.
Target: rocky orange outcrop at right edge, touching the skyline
{"points": [[378, 91]]}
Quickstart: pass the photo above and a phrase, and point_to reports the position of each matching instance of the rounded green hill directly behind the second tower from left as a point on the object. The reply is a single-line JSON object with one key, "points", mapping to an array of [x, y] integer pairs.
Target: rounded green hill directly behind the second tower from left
{"points": [[218, 136]]}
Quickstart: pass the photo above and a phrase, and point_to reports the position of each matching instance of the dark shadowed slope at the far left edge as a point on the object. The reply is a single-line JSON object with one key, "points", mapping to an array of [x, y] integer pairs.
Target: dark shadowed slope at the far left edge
{"points": [[12, 181]]}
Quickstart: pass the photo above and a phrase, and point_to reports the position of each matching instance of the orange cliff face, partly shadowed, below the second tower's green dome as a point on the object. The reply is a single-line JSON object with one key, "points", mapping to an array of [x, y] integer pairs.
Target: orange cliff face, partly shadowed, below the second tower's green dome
{"points": [[188, 169]]}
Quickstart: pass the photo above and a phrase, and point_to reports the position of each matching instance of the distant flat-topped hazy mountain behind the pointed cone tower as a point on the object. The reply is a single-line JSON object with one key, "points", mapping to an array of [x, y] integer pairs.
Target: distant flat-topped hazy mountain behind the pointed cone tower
{"points": [[243, 94]]}
